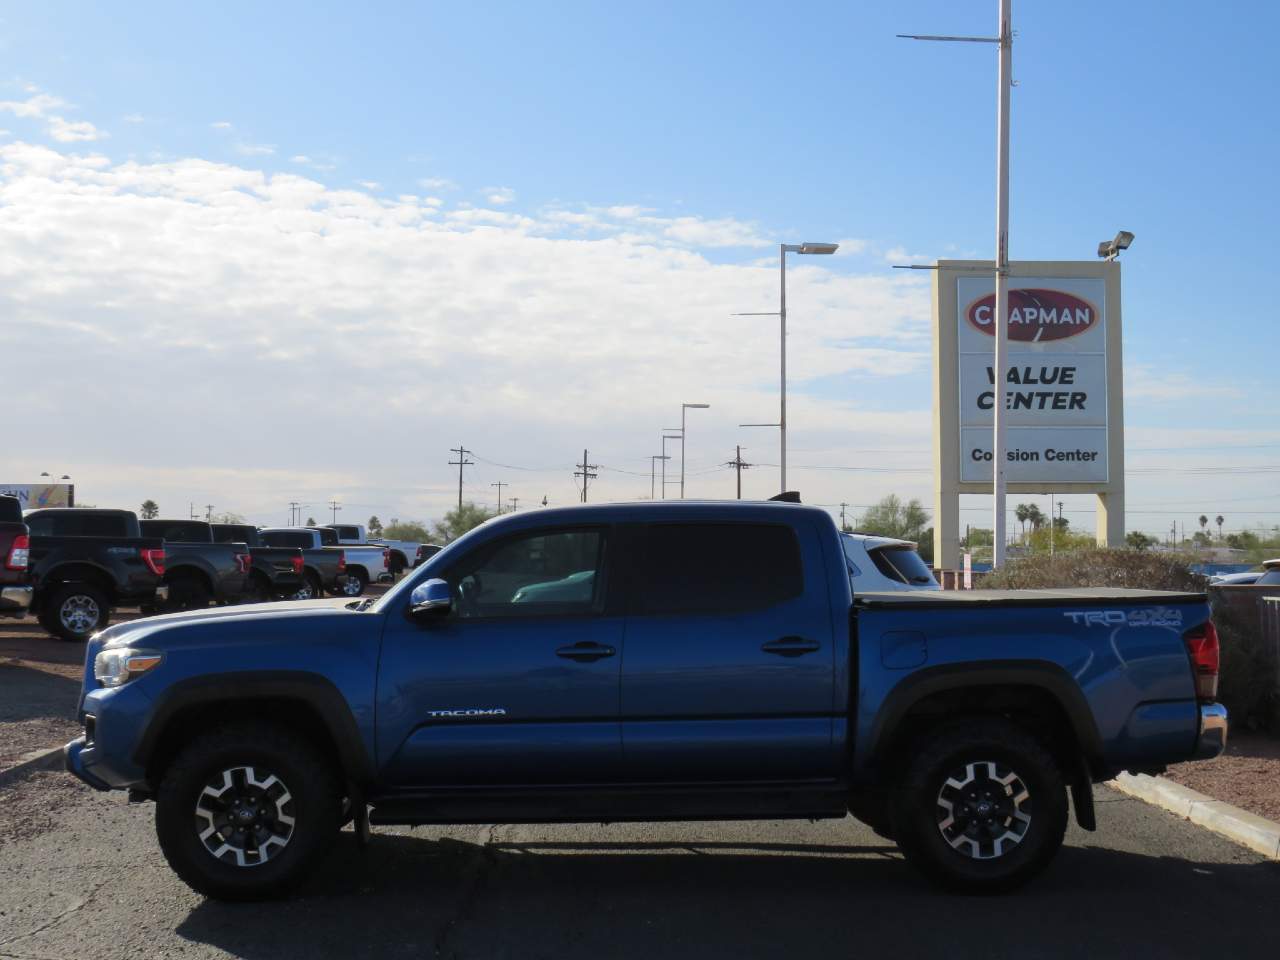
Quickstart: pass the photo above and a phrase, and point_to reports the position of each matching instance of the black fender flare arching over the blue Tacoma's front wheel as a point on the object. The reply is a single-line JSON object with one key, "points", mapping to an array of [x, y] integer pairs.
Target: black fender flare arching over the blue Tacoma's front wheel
{"points": [[312, 689]]}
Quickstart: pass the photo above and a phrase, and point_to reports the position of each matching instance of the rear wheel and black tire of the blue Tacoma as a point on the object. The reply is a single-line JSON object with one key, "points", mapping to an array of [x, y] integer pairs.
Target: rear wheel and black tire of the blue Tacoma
{"points": [[1004, 797]]}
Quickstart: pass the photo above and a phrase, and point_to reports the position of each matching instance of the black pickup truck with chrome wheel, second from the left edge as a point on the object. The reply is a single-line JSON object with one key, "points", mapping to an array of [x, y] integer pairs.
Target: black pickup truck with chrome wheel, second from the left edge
{"points": [[85, 563]]}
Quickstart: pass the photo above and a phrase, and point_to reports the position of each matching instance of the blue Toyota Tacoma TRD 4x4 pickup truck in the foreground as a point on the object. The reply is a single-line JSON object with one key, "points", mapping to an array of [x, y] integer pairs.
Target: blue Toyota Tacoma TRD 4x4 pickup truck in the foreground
{"points": [[644, 662]]}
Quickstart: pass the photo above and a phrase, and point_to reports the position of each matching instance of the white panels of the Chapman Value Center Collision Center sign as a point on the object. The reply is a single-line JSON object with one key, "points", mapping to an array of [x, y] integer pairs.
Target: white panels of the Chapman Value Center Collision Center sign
{"points": [[1055, 381]]}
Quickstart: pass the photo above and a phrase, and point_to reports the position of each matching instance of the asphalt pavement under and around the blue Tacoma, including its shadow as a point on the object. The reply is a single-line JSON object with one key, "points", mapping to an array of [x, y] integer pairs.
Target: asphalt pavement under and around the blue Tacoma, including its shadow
{"points": [[81, 876]]}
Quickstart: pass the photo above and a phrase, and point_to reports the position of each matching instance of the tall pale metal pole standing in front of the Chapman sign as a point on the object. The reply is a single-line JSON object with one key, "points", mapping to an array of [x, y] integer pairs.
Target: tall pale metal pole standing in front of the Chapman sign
{"points": [[1002, 365]]}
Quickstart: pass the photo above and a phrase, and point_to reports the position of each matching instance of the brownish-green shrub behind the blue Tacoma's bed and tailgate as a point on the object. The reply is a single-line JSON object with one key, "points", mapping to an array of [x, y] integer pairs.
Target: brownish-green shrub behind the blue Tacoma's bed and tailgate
{"points": [[1247, 684]]}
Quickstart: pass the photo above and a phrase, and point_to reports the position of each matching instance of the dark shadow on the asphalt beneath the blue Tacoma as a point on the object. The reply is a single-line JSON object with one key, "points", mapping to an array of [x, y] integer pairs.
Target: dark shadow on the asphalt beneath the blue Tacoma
{"points": [[408, 897]]}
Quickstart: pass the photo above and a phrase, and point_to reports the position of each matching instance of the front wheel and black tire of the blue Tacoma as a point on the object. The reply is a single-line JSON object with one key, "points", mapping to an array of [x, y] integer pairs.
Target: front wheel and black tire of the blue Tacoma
{"points": [[312, 796]]}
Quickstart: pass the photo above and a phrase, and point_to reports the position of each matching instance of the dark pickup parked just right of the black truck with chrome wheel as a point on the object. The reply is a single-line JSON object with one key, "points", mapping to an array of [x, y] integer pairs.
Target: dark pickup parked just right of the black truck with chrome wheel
{"points": [[198, 569]]}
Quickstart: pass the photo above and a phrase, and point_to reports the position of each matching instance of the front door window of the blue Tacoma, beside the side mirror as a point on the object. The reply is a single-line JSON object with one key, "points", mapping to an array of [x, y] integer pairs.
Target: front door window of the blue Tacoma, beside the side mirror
{"points": [[541, 574]]}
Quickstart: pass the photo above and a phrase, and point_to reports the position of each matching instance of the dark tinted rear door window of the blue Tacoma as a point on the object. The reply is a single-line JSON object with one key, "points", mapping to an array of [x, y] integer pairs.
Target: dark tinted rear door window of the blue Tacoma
{"points": [[719, 568]]}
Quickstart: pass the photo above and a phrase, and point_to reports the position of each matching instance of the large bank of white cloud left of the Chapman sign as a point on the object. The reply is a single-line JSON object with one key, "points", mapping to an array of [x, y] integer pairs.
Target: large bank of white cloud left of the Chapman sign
{"points": [[514, 333]]}
